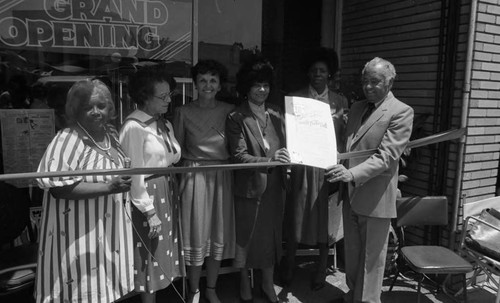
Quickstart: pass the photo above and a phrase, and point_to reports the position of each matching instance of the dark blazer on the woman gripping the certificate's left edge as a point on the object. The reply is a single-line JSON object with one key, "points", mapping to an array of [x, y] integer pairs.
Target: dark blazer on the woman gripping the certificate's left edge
{"points": [[246, 146]]}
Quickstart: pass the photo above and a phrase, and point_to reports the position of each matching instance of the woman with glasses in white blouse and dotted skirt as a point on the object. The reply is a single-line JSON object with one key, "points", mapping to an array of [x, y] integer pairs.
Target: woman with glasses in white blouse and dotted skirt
{"points": [[149, 142]]}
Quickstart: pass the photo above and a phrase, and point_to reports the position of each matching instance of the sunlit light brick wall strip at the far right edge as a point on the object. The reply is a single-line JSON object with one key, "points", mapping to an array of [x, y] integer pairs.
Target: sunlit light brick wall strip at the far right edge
{"points": [[483, 132]]}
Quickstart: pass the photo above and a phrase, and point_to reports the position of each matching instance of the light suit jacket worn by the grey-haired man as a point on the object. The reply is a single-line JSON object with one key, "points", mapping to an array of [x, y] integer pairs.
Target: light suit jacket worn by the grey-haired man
{"points": [[388, 129]]}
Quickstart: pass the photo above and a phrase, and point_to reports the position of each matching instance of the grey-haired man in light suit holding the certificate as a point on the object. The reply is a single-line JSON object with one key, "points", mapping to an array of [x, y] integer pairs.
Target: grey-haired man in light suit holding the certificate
{"points": [[369, 187]]}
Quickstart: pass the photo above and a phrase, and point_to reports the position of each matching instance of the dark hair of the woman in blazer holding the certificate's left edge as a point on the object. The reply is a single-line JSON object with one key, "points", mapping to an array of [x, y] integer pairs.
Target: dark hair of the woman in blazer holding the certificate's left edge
{"points": [[256, 70]]}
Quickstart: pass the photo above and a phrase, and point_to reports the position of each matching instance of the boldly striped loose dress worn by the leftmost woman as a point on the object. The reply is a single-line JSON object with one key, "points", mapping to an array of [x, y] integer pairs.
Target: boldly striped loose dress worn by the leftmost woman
{"points": [[85, 252]]}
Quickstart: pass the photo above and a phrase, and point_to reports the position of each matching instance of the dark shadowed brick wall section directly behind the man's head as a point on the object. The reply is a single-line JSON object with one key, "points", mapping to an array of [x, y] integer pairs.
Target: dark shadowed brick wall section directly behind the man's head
{"points": [[406, 34]]}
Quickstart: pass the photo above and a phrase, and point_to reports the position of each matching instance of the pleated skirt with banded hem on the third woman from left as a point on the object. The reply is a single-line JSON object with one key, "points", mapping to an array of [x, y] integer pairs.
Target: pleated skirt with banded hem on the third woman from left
{"points": [[207, 209]]}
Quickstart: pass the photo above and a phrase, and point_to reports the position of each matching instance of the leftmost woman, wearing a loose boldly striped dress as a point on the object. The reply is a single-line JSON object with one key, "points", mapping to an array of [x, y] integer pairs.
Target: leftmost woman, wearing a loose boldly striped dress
{"points": [[85, 252]]}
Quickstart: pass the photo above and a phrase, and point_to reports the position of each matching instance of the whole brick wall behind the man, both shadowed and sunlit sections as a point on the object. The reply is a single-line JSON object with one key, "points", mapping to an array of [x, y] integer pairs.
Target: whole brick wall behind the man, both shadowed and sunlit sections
{"points": [[407, 34]]}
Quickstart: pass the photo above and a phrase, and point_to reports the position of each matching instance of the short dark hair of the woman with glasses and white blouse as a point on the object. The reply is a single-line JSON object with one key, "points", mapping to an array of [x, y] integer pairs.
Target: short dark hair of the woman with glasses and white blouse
{"points": [[141, 85]]}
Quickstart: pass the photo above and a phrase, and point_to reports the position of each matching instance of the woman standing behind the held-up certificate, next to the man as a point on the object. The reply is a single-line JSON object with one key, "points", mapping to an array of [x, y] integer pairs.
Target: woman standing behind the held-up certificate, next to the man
{"points": [[306, 217]]}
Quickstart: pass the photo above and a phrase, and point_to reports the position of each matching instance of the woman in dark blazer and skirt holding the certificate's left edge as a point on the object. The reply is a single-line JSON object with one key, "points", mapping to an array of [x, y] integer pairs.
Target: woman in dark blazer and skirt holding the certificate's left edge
{"points": [[255, 133]]}
